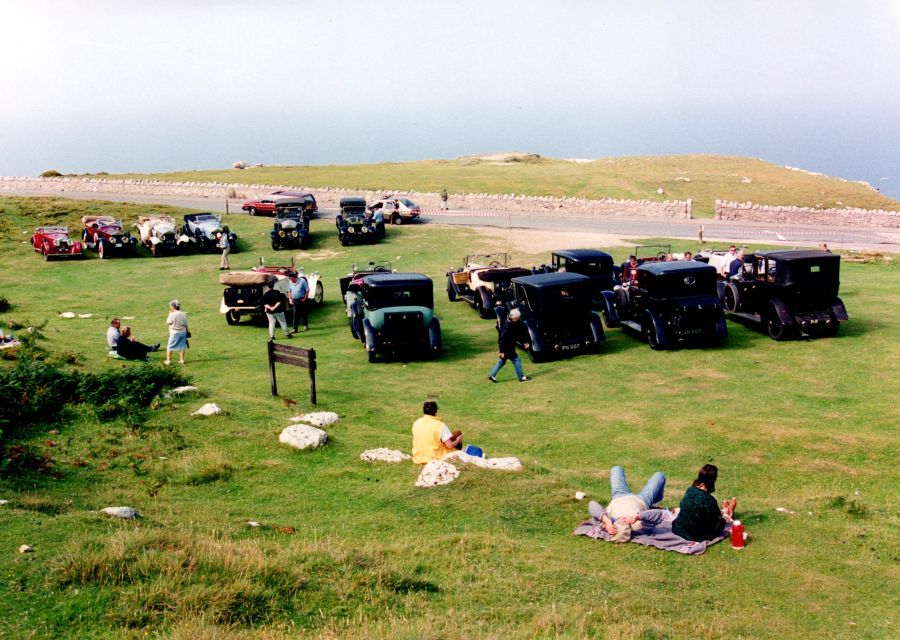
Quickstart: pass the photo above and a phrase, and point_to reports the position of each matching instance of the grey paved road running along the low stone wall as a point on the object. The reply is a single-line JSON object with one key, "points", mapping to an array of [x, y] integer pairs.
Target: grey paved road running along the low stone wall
{"points": [[715, 231]]}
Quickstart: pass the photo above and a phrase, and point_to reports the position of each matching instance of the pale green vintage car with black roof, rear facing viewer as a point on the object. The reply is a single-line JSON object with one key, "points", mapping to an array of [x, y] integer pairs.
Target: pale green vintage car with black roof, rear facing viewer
{"points": [[394, 314]]}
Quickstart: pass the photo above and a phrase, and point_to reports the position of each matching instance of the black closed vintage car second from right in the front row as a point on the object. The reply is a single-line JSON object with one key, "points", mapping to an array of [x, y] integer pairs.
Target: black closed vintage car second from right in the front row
{"points": [[668, 303]]}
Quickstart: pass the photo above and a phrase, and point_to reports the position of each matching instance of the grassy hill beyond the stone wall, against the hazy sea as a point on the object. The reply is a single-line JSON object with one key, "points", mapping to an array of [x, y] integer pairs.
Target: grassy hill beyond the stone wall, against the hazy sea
{"points": [[703, 178]]}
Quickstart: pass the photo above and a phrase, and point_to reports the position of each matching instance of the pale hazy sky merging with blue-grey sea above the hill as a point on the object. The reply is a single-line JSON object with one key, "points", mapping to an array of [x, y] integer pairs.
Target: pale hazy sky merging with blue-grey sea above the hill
{"points": [[161, 85]]}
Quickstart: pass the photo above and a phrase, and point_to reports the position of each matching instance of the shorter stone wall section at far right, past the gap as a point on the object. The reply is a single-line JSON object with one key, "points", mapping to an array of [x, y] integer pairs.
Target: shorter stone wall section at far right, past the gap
{"points": [[749, 212]]}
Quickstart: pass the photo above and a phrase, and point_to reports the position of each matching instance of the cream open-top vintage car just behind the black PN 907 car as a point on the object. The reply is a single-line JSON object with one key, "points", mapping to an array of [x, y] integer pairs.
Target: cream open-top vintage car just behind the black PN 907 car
{"points": [[483, 281]]}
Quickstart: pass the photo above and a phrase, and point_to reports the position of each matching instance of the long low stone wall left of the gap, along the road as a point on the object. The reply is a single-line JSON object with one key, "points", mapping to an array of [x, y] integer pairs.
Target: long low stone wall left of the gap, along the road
{"points": [[328, 197]]}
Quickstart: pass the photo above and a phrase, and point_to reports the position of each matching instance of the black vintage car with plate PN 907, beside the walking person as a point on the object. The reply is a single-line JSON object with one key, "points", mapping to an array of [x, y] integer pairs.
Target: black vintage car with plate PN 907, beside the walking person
{"points": [[556, 313]]}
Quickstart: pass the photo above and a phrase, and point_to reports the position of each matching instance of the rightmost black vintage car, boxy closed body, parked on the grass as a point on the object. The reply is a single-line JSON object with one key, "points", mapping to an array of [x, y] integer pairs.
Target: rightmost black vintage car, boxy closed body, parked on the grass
{"points": [[790, 292]]}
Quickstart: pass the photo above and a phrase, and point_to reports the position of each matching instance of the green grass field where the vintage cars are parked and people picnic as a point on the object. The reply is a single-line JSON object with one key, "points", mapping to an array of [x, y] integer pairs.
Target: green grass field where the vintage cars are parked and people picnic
{"points": [[809, 426]]}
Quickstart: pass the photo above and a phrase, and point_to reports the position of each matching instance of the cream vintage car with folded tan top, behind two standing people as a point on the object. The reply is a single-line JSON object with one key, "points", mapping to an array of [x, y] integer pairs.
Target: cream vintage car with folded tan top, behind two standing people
{"points": [[244, 289]]}
